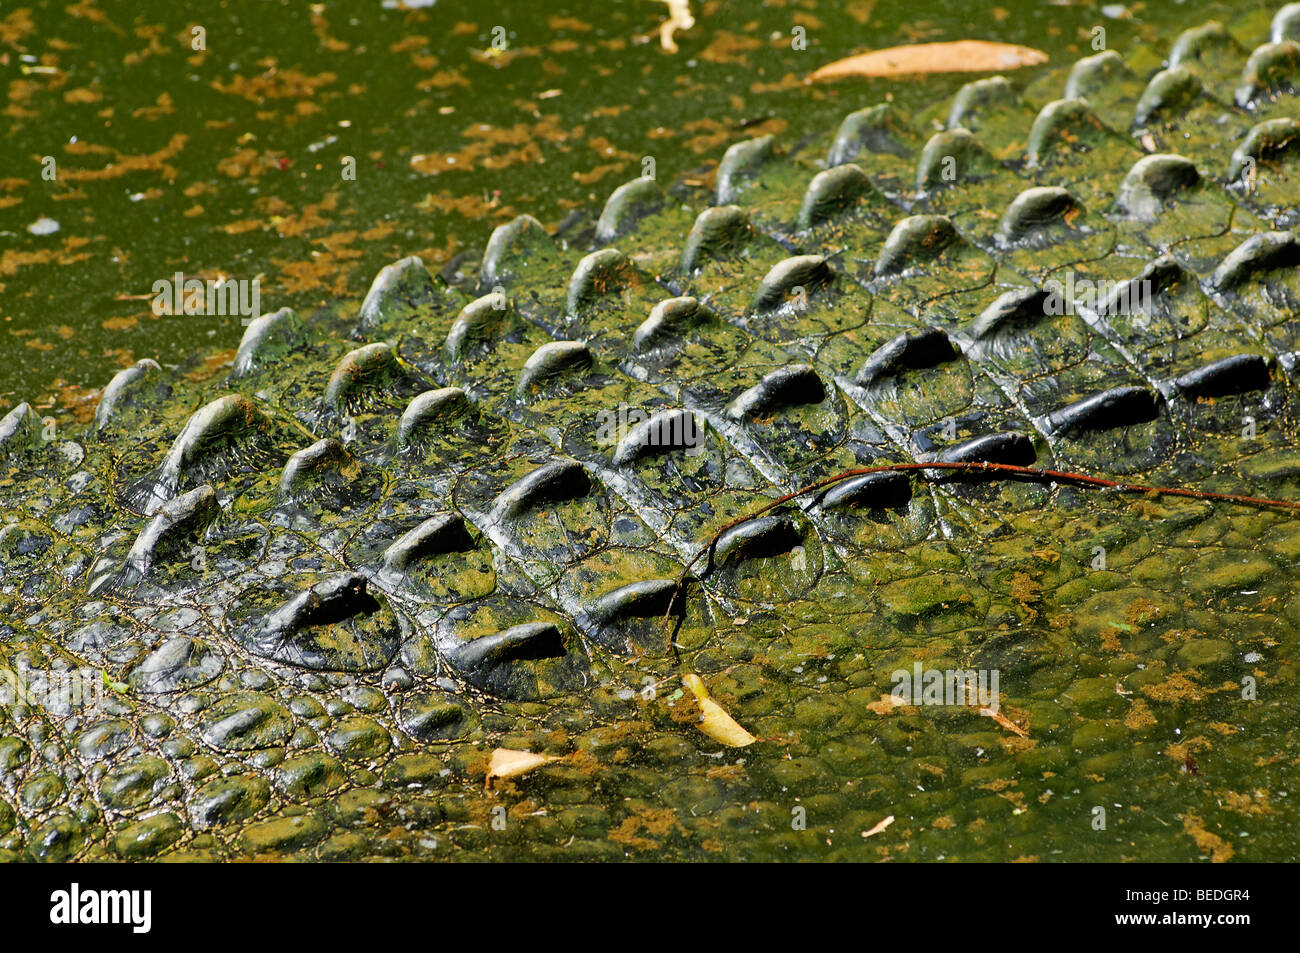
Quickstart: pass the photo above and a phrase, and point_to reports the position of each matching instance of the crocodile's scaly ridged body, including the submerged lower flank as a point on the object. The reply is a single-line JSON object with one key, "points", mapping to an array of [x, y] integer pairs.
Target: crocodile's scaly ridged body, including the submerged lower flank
{"points": [[302, 605]]}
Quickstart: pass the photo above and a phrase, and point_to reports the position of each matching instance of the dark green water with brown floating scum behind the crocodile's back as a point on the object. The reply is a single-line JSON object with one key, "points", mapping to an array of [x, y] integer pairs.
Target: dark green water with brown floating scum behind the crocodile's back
{"points": [[231, 162]]}
